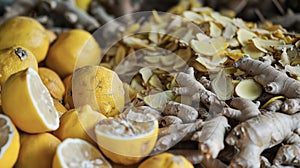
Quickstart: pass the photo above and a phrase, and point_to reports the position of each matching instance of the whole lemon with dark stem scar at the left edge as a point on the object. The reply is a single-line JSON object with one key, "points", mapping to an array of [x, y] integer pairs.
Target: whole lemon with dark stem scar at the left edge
{"points": [[15, 59]]}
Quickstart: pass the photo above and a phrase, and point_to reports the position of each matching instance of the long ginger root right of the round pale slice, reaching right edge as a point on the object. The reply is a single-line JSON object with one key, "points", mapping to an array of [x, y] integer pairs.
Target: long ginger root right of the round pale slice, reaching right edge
{"points": [[274, 81]]}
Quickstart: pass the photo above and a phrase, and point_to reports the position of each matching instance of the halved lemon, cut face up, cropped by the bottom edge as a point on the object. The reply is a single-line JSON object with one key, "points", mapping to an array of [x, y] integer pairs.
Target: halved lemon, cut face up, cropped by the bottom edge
{"points": [[75, 152]]}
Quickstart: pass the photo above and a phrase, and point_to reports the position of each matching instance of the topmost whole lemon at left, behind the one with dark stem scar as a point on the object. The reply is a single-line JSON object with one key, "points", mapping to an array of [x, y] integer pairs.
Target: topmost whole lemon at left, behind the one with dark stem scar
{"points": [[26, 32]]}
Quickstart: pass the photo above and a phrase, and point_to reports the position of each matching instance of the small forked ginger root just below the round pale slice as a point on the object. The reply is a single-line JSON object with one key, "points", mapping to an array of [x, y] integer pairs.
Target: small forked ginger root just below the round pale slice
{"points": [[246, 109]]}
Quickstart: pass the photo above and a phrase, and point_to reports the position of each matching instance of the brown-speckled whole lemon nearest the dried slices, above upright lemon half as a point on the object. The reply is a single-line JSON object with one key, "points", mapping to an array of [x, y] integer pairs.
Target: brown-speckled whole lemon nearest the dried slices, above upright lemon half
{"points": [[99, 87]]}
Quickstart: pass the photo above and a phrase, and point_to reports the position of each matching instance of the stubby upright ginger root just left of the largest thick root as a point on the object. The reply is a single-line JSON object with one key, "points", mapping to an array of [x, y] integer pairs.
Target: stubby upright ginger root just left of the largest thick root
{"points": [[211, 136]]}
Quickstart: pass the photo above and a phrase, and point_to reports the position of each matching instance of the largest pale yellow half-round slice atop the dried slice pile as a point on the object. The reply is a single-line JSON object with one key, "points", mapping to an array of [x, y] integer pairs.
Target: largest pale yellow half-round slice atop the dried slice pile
{"points": [[210, 47]]}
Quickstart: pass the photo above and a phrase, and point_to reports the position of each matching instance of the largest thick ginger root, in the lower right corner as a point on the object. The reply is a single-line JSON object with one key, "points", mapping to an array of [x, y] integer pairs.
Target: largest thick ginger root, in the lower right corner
{"points": [[255, 135]]}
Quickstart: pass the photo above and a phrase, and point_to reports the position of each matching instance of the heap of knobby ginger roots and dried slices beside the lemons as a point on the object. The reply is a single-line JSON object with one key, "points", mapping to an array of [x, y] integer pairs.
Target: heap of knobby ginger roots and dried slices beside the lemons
{"points": [[226, 92]]}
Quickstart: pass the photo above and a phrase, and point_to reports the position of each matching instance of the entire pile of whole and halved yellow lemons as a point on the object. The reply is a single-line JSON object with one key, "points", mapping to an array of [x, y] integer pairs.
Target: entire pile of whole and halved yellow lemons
{"points": [[44, 124]]}
